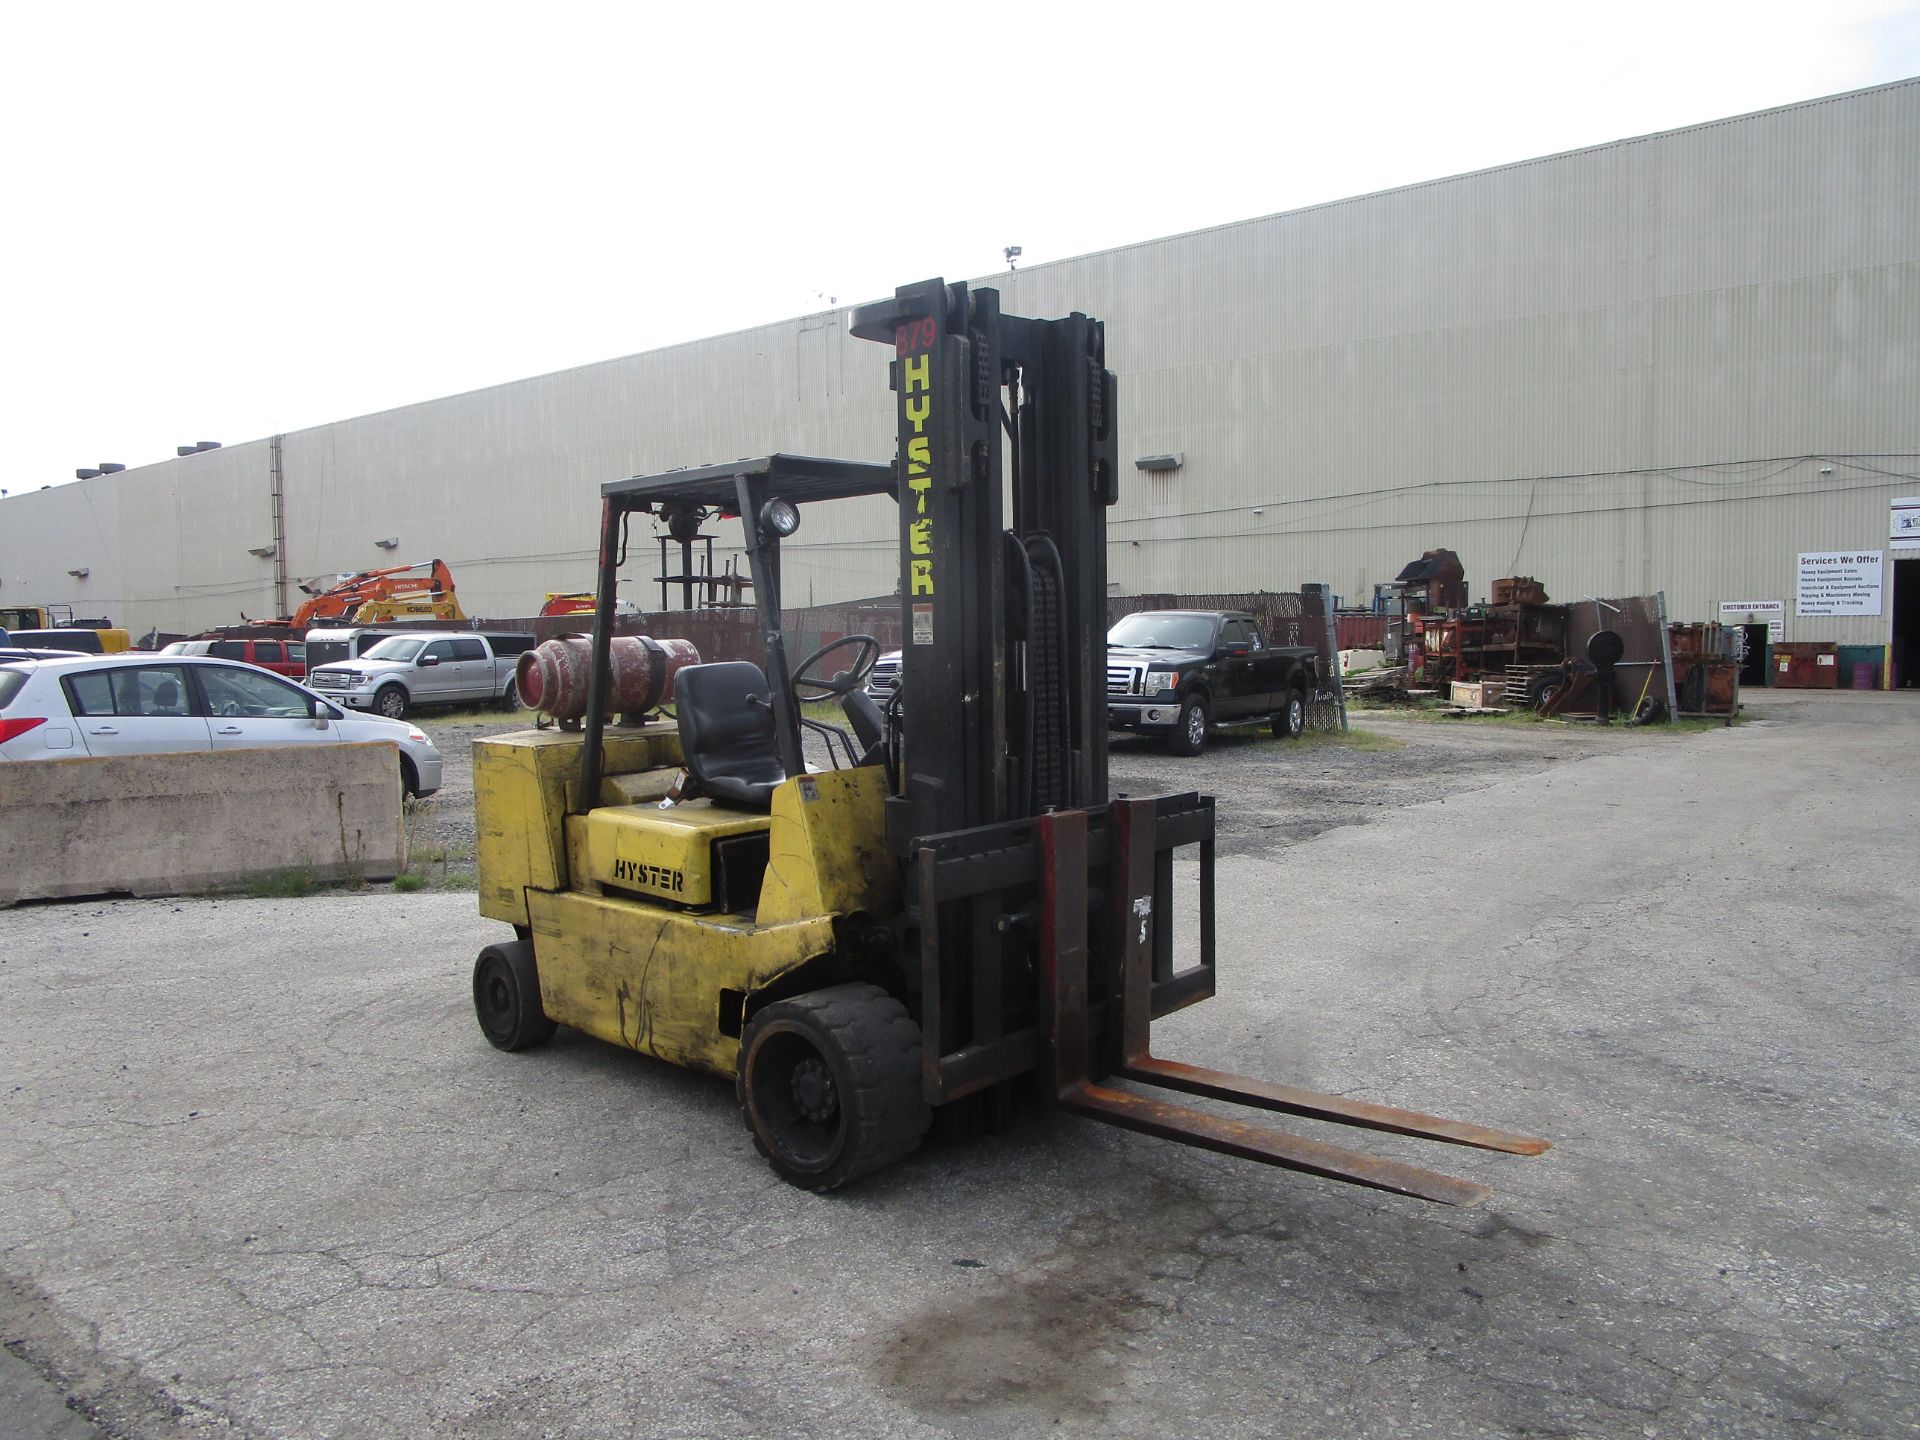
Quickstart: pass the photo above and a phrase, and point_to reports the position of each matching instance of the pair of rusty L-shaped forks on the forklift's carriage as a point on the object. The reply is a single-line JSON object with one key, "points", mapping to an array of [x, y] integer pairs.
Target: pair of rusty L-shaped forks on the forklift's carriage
{"points": [[1067, 1019]]}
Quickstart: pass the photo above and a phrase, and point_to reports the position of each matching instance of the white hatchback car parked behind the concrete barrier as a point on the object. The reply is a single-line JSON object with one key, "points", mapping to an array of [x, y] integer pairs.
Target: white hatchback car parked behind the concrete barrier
{"points": [[137, 704]]}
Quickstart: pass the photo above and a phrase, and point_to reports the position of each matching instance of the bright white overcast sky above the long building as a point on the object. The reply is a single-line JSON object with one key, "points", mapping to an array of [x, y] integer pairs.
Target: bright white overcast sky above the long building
{"points": [[229, 222]]}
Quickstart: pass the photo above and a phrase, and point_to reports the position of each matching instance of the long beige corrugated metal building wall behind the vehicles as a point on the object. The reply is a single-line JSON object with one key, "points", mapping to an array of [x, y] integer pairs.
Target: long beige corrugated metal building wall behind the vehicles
{"points": [[1664, 364]]}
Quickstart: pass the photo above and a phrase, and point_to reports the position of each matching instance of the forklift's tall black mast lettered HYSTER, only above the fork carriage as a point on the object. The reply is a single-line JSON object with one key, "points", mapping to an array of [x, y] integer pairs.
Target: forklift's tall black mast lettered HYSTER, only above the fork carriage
{"points": [[1007, 464]]}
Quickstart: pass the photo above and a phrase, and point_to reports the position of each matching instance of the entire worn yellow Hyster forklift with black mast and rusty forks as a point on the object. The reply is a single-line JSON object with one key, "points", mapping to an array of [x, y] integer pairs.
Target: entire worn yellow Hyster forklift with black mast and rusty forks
{"points": [[951, 913]]}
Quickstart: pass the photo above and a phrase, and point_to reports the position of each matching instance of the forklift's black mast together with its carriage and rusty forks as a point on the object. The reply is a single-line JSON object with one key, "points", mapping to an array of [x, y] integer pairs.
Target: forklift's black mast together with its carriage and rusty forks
{"points": [[1040, 930]]}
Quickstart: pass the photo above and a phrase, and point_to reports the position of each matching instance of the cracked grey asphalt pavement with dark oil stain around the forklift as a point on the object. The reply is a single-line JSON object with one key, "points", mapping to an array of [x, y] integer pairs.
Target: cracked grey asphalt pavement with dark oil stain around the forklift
{"points": [[262, 1176]]}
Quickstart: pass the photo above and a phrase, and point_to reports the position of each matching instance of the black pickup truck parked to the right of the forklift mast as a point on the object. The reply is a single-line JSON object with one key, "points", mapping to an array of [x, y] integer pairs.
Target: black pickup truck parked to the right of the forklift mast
{"points": [[1178, 673]]}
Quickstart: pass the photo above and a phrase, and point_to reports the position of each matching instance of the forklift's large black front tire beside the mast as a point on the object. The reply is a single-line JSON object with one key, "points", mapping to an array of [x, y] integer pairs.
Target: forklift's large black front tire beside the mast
{"points": [[830, 1086]]}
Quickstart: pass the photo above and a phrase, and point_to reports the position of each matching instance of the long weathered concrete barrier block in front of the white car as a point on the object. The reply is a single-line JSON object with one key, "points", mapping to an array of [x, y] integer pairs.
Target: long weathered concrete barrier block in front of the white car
{"points": [[174, 825]]}
